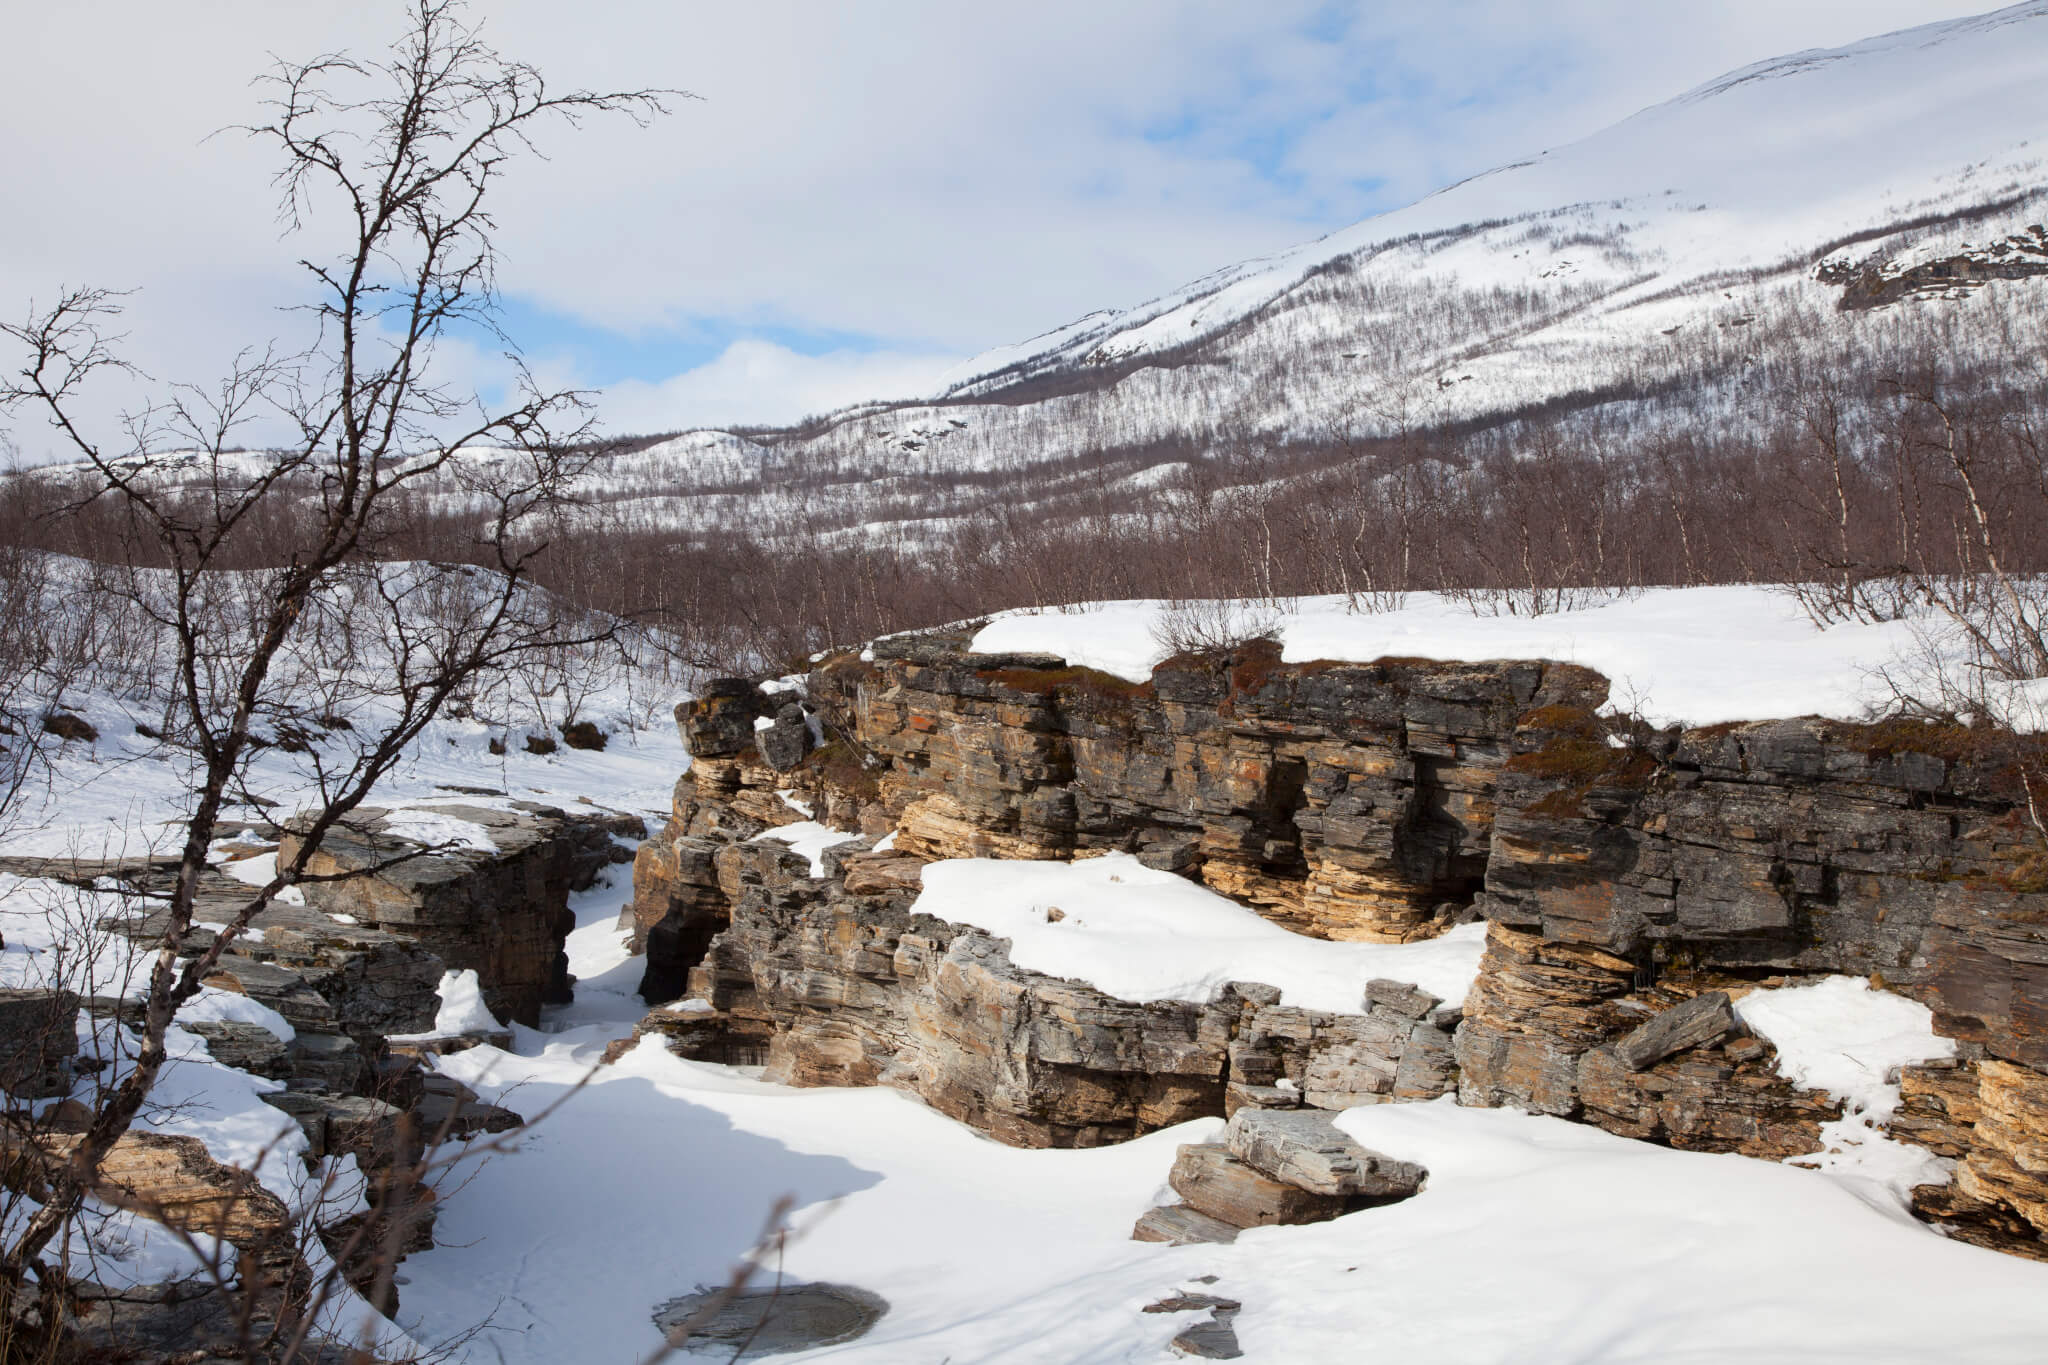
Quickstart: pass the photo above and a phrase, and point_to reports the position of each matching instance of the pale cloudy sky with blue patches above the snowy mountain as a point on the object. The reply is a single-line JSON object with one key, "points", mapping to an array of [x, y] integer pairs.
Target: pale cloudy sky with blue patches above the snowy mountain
{"points": [[855, 197]]}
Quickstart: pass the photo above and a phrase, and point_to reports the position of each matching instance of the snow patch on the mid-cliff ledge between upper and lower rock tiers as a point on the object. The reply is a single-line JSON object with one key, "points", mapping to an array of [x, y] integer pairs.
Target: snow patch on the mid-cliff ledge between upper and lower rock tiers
{"points": [[1154, 936]]}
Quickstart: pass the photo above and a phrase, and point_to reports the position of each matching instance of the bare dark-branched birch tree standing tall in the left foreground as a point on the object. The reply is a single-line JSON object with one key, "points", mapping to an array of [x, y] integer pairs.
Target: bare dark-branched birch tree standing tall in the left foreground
{"points": [[400, 155]]}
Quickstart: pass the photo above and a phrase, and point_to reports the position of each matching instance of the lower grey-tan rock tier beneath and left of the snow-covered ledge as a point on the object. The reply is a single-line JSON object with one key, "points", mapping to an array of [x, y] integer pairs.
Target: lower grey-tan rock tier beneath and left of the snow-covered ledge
{"points": [[835, 987]]}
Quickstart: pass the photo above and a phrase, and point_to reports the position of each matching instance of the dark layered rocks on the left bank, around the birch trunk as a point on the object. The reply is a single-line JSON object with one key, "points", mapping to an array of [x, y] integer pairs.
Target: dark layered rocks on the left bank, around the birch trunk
{"points": [[351, 973]]}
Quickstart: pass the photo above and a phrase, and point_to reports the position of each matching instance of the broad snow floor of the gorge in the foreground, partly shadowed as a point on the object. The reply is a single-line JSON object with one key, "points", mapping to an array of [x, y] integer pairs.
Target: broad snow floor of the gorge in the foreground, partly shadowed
{"points": [[1529, 1231]]}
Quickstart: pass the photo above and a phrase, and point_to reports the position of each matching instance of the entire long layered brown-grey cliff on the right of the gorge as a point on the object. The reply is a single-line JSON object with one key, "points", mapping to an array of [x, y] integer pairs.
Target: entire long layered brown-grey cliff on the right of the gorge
{"points": [[1631, 881]]}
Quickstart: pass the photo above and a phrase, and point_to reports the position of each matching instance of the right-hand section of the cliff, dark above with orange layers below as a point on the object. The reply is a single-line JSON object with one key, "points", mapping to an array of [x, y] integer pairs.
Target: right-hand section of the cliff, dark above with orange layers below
{"points": [[1629, 885]]}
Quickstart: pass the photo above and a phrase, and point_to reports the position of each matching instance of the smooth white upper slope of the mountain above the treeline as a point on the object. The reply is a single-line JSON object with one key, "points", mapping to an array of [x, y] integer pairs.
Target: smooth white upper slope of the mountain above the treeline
{"points": [[1762, 171]]}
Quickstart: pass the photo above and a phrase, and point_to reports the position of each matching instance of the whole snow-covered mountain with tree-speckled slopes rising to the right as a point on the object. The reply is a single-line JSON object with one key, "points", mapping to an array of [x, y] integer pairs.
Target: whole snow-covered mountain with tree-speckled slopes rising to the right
{"points": [[1684, 263]]}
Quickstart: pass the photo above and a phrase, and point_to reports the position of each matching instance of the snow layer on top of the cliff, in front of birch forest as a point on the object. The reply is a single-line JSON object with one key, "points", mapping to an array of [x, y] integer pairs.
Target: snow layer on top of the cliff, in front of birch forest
{"points": [[1695, 656]]}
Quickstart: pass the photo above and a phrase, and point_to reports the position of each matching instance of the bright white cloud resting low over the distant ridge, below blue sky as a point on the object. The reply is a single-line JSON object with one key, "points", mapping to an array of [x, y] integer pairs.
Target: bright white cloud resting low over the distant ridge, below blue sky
{"points": [[761, 384]]}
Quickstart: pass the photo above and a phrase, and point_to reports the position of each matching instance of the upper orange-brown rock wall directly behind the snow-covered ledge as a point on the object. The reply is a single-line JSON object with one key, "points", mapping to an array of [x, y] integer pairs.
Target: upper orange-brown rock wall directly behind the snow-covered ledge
{"points": [[1345, 801]]}
